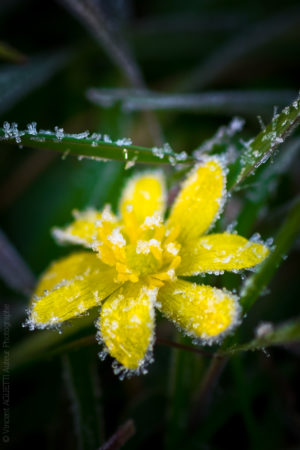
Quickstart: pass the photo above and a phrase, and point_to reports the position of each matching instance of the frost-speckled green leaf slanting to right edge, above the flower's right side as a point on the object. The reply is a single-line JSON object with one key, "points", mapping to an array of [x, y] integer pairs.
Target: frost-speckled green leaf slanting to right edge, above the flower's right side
{"points": [[260, 149]]}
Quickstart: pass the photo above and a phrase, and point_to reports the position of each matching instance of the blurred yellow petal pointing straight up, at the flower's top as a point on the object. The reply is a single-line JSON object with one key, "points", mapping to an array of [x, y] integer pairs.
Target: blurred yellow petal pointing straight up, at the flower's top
{"points": [[143, 195]]}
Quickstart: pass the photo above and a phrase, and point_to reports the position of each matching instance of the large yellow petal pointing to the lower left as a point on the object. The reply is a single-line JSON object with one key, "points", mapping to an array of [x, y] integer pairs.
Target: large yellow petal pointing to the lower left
{"points": [[70, 287]]}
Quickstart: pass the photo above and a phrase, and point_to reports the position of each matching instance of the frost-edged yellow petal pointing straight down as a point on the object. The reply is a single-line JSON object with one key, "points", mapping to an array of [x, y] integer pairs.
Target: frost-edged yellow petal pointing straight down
{"points": [[126, 324]]}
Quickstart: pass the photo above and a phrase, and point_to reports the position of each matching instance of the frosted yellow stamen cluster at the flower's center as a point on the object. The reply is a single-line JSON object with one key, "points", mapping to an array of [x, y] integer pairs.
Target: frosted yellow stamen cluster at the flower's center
{"points": [[146, 250]]}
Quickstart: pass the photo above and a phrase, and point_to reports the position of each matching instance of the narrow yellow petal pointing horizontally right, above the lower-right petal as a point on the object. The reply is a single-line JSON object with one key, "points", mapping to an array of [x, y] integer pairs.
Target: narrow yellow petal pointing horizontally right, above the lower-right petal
{"points": [[217, 252]]}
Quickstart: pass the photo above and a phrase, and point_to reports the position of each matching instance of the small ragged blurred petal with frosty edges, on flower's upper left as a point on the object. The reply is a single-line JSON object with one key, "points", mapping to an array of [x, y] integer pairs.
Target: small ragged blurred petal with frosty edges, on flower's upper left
{"points": [[84, 229]]}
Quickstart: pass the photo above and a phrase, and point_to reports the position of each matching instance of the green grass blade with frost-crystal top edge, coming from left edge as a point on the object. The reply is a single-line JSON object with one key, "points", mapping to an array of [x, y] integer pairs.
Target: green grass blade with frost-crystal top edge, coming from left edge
{"points": [[93, 146]]}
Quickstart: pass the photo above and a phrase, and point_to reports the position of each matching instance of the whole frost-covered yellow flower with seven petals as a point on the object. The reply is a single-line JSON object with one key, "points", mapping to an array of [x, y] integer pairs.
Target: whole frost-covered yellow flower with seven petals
{"points": [[134, 261]]}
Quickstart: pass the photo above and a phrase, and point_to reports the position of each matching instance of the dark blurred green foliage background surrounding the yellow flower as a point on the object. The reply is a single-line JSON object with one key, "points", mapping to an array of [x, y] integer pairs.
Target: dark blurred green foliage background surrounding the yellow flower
{"points": [[156, 72]]}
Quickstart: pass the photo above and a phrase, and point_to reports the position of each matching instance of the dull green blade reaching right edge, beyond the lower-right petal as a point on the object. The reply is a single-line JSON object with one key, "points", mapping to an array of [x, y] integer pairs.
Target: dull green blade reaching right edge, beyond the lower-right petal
{"points": [[285, 333]]}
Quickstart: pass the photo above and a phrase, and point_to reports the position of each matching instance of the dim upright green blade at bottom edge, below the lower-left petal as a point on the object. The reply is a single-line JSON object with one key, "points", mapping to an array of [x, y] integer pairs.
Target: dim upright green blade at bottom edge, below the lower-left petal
{"points": [[84, 392]]}
